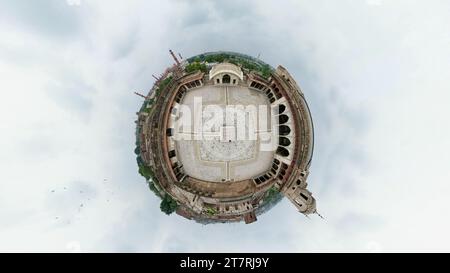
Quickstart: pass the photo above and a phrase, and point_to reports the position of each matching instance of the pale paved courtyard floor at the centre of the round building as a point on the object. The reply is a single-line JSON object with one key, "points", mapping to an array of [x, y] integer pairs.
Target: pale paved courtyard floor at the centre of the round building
{"points": [[225, 155]]}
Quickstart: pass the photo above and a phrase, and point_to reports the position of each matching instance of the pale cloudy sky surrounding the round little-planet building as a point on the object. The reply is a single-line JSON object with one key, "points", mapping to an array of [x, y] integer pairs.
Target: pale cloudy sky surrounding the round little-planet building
{"points": [[376, 74]]}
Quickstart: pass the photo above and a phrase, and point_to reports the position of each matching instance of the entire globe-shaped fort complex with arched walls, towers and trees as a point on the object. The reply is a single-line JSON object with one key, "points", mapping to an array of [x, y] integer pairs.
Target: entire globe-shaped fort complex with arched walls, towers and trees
{"points": [[222, 137]]}
